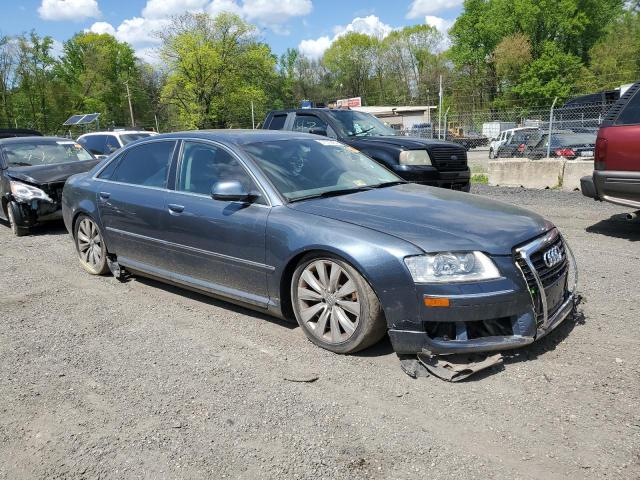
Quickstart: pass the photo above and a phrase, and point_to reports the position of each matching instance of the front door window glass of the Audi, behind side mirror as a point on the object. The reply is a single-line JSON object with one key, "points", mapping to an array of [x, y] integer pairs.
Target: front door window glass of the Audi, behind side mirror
{"points": [[203, 166]]}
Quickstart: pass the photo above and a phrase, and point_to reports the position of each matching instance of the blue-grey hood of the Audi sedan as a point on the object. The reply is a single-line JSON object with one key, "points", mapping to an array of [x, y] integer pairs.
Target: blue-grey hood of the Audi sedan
{"points": [[433, 219]]}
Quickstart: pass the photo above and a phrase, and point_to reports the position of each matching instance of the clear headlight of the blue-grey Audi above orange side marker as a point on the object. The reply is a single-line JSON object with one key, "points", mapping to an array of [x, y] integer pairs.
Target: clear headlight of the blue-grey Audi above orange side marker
{"points": [[447, 267]]}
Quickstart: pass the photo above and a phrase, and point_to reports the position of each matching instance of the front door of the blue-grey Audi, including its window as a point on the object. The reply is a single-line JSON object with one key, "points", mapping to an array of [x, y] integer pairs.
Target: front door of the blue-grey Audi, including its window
{"points": [[218, 245]]}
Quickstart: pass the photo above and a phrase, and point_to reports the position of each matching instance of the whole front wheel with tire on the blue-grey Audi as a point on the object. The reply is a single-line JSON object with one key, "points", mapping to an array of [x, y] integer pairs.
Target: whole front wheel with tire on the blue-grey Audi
{"points": [[335, 306]]}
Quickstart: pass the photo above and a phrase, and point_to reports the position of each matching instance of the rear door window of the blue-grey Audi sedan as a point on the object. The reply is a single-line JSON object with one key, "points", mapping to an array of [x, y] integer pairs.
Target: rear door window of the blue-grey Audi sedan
{"points": [[145, 165]]}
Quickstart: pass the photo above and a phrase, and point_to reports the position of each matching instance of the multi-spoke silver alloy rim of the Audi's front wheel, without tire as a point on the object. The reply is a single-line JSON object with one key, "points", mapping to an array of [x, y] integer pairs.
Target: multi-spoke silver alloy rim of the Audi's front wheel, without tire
{"points": [[328, 301]]}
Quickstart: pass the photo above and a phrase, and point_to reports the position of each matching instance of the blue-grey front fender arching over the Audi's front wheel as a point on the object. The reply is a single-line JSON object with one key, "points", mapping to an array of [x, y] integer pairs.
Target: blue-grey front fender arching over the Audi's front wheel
{"points": [[377, 256]]}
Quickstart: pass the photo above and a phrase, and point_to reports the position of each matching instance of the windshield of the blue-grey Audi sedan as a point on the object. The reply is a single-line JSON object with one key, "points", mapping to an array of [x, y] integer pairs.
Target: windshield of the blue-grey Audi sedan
{"points": [[312, 168]]}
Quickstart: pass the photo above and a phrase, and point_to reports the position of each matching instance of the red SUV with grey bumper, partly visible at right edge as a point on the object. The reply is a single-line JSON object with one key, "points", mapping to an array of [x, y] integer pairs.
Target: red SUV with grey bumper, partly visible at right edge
{"points": [[616, 177]]}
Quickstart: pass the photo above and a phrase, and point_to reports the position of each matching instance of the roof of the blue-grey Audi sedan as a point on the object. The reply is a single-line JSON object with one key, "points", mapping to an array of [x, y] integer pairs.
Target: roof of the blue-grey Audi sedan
{"points": [[238, 137]]}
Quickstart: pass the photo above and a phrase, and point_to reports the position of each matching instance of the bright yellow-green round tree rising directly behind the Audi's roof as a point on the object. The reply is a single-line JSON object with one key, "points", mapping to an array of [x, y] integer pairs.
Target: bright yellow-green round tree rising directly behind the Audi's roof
{"points": [[216, 68]]}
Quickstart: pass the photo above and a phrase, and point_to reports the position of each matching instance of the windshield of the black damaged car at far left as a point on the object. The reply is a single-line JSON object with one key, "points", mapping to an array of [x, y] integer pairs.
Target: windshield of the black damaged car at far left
{"points": [[44, 152]]}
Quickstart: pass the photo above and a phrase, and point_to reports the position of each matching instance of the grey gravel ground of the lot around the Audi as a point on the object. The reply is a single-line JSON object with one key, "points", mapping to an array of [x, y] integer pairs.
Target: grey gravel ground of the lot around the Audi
{"points": [[101, 379]]}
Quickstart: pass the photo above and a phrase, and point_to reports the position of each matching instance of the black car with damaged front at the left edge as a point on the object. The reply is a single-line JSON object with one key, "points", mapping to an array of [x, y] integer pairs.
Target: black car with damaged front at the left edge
{"points": [[33, 170]]}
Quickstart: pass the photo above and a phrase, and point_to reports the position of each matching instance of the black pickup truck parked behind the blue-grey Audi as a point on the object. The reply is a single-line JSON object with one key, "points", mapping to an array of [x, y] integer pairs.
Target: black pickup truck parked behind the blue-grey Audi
{"points": [[429, 162]]}
